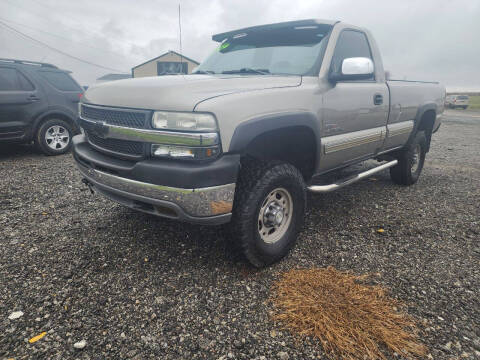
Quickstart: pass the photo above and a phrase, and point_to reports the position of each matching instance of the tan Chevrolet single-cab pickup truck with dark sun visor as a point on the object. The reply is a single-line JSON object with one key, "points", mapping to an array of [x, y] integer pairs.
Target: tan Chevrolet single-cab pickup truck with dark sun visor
{"points": [[260, 122]]}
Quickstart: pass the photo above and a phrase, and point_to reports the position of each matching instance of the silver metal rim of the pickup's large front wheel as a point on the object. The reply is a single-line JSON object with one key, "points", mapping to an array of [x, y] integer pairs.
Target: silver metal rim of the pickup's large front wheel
{"points": [[275, 215]]}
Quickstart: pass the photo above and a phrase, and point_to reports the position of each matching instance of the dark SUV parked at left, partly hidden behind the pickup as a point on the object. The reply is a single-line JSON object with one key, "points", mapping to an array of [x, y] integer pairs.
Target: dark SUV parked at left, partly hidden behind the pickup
{"points": [[38, 102]]}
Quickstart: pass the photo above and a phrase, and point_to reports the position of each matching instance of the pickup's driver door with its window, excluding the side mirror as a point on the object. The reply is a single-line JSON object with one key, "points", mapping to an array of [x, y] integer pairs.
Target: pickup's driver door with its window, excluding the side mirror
{"points": [[354, 111]]}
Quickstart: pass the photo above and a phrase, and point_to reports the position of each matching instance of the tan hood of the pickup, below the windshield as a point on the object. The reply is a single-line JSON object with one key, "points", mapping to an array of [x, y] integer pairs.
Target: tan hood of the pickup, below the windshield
{"points": [[178, 92]]}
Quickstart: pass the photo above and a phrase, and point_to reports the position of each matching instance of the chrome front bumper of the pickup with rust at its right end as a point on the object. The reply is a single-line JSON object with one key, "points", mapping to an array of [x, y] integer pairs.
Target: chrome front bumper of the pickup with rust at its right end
{"points": [[204, 205]]}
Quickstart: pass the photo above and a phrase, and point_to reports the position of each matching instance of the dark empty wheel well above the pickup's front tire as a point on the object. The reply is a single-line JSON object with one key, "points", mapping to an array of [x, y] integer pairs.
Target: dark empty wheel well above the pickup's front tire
{"points": [[295, 145]]}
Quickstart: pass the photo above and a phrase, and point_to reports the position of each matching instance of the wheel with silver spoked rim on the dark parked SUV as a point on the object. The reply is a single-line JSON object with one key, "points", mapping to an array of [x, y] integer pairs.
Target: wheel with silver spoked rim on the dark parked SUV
{"points": [[54, 137]]}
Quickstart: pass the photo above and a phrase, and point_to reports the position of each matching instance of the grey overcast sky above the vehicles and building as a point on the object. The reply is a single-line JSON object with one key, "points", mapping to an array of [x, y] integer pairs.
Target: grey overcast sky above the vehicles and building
{"points": [[423, 39]]}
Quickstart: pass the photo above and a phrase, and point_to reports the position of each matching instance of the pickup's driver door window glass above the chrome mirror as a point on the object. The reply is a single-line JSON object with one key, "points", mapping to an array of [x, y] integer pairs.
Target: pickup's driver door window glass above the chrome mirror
{"points": [[350, 43]]}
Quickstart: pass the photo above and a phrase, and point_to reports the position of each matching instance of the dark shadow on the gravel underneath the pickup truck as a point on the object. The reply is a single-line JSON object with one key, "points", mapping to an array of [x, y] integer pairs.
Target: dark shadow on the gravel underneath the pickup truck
{"points": [[194, 247]]}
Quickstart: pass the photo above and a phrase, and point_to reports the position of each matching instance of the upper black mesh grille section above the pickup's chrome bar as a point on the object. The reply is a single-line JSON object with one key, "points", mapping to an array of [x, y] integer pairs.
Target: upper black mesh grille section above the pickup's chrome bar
{"points": [[127, 118]]}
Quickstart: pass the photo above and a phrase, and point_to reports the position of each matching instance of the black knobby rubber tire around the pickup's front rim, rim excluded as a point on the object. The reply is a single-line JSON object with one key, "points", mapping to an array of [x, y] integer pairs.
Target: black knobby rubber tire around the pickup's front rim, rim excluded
{"points": [[256, 181]]}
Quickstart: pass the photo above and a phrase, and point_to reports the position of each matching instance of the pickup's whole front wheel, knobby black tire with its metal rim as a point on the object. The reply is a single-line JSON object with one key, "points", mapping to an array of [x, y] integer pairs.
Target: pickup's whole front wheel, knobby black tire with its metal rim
{"points": [[268, 212]]}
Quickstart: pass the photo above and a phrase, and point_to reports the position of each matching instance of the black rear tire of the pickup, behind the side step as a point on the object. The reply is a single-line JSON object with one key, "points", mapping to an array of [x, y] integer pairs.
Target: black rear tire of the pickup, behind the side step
{"points": [[402, 173]]}
